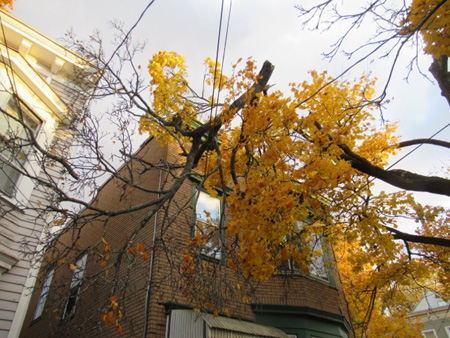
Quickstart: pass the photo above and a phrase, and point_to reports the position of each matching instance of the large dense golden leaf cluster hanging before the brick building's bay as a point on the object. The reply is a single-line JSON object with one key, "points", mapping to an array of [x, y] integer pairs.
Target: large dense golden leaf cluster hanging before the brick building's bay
{"points": [[285, 160]]}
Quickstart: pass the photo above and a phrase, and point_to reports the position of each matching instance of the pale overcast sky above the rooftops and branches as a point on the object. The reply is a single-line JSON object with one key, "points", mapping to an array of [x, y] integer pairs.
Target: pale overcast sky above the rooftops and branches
{"points": [[264, 29]]}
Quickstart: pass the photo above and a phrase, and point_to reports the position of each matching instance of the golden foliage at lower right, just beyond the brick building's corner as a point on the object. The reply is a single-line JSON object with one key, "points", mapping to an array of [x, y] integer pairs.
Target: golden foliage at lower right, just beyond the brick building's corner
{"points": [[380, 296]]}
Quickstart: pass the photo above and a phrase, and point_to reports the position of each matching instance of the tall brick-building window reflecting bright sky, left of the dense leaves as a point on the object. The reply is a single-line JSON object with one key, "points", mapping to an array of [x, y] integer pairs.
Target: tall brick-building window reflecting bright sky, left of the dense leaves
{"points": [[207, 224]]}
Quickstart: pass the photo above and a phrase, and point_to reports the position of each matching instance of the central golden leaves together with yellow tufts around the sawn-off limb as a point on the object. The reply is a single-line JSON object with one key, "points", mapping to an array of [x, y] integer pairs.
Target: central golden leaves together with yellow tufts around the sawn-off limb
{"points": [[280, 156]]}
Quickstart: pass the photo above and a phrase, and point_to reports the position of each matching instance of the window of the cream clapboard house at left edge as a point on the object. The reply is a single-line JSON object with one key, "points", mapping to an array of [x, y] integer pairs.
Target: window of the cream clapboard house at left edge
{"points": [[16, 122]]}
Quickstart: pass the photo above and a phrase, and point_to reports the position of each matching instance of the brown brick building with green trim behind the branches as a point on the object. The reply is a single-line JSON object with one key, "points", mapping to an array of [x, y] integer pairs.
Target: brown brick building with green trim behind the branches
{"points": [[152, 292]]}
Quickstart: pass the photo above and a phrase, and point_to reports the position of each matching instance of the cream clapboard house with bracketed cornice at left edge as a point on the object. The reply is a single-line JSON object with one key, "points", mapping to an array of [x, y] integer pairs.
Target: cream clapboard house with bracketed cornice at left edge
{"points": [[39, 101]]}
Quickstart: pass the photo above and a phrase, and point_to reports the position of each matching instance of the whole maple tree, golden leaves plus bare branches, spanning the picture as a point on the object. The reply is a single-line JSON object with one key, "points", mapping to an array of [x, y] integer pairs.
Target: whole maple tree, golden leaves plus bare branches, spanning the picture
{"points": [[278, 159]]}
